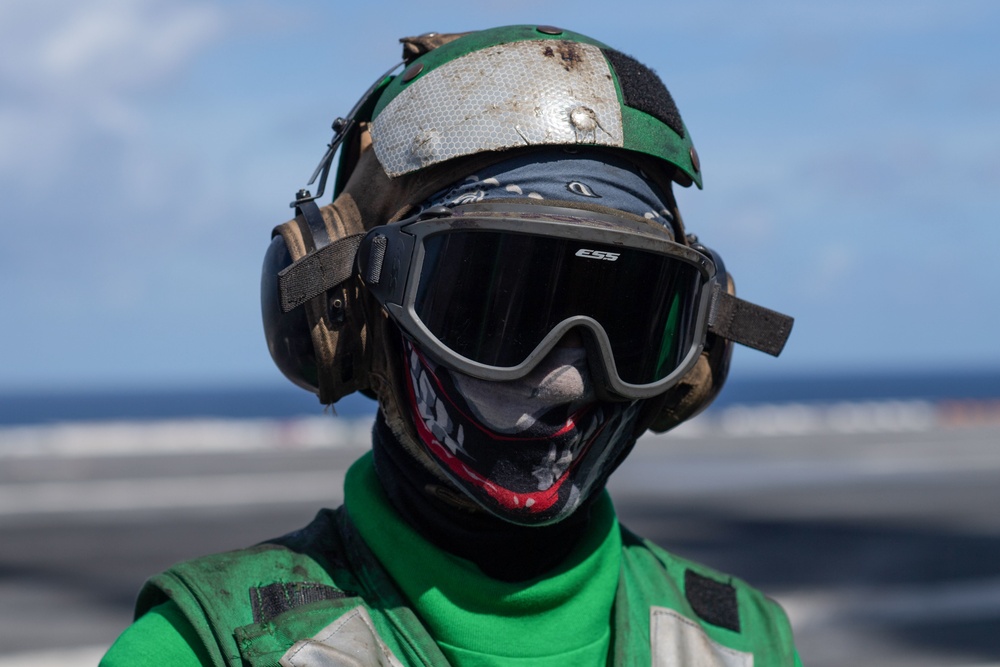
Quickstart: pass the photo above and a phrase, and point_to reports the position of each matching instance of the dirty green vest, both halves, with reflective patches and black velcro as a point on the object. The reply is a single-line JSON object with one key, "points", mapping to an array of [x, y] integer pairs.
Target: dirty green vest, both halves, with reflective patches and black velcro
{"points": [[319, 597]]}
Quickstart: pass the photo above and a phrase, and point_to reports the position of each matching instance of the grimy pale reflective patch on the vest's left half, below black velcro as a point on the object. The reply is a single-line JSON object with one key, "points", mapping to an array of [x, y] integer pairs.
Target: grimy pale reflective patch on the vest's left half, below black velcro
{"points": [[350, 641]]}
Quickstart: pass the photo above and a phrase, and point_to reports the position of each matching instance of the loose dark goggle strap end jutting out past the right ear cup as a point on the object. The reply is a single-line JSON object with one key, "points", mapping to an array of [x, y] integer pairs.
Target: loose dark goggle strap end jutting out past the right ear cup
{"points": [[749, 324]]}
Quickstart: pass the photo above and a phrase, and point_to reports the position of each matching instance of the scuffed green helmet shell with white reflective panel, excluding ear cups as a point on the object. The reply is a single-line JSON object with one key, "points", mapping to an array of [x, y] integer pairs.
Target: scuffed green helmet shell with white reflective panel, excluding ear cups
{"points": [[515, 87]]}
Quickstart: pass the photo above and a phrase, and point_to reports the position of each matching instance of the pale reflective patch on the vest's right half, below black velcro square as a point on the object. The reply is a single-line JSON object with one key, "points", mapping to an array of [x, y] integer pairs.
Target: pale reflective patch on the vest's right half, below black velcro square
{"points": [[677, 641]]}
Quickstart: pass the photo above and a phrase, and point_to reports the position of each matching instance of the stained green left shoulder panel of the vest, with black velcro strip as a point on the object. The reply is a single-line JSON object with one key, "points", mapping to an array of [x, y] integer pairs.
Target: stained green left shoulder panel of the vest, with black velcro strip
{"points": [[252, 606]]}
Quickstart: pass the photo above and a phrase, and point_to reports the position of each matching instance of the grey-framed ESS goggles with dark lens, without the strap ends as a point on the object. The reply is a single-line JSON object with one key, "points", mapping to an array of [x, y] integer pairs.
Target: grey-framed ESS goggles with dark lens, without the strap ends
{"points": [[489, 289]]}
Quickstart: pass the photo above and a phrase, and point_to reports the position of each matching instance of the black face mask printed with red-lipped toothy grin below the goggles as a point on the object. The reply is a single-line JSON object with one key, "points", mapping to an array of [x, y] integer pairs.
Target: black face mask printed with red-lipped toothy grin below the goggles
{"points": [[529, 451]]}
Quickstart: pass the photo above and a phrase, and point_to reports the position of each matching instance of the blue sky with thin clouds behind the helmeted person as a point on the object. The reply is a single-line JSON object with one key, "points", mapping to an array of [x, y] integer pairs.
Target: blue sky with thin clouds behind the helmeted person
{"points": [[851, 154]]}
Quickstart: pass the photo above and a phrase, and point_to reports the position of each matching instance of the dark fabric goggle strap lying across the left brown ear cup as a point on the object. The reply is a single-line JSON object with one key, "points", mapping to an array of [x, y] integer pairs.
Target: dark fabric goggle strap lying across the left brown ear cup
{"points": [[317, 272]]}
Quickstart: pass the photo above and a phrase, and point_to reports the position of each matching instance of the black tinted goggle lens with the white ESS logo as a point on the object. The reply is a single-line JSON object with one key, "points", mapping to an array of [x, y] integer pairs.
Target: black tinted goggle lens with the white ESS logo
{"points": [[493, 296]]}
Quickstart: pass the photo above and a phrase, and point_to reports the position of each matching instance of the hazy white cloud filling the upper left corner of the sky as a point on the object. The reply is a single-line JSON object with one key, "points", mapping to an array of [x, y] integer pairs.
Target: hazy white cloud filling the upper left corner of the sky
{"points": [[74, 68]]}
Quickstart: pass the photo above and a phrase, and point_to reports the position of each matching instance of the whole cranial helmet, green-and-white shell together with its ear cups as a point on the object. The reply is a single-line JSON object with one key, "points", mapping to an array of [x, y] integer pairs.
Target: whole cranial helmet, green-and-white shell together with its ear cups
{"points": [[463, 102]]}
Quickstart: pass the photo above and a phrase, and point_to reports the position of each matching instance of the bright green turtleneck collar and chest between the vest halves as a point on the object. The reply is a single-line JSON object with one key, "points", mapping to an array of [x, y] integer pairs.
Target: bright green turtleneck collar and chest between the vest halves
{"points": [[561, 618]]}
